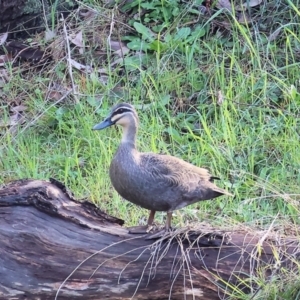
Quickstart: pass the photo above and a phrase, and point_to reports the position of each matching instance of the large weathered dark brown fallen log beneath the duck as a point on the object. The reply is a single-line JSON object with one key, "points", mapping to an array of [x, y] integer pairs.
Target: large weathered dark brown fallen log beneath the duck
{"points": [[52, 244]]}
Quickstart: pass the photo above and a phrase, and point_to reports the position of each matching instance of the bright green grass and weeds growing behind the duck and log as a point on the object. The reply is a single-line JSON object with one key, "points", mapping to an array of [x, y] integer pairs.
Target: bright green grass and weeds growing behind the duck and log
{"points": [[216, 92]]}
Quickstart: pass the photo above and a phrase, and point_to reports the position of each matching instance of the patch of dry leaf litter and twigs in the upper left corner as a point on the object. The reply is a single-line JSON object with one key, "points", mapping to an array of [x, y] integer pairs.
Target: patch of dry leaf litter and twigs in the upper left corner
{"points": [[90, 40]]}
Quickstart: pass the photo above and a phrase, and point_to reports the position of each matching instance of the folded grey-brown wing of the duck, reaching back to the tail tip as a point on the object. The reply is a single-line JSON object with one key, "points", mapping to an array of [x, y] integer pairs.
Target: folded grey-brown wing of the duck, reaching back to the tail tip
{"points": [[182, 183]]}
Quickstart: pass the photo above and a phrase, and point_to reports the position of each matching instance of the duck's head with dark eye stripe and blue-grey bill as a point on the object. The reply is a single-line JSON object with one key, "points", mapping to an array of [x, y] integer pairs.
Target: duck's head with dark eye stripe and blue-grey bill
{"points": [[122, 114]]}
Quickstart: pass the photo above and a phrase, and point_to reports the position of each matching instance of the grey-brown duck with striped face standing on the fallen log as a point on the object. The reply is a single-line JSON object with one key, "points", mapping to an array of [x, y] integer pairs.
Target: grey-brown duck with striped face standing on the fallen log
{"points": [[156, 182]]}
